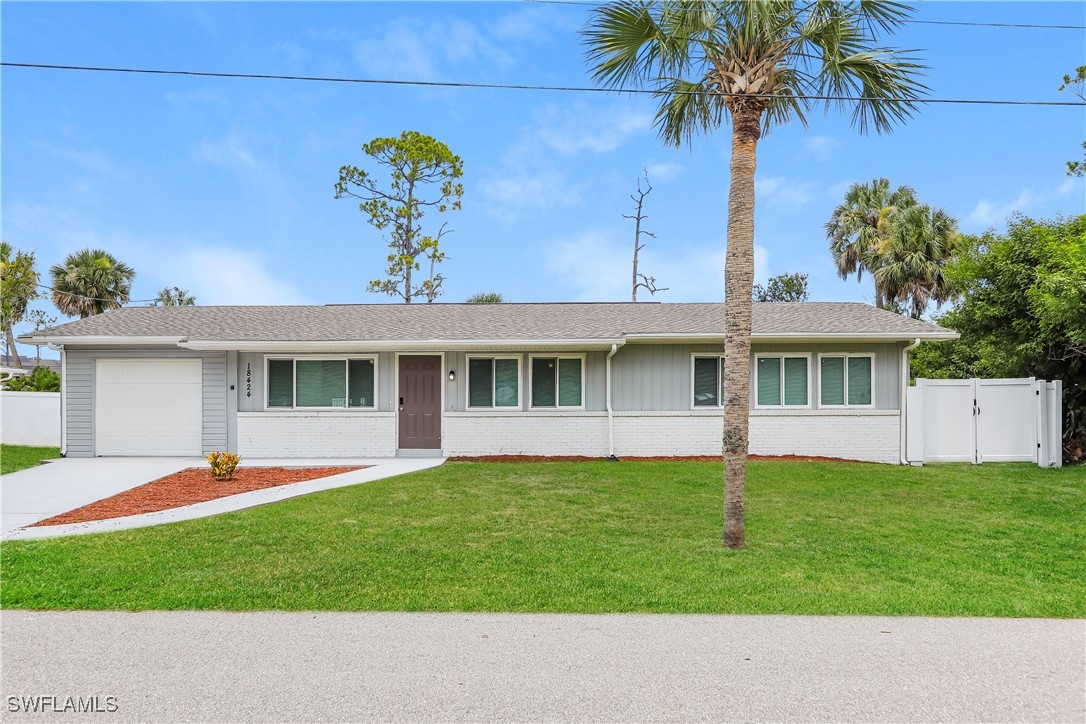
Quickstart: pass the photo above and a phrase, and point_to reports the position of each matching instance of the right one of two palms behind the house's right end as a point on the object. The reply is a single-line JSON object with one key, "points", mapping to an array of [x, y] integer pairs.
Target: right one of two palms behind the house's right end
{"points": [[913, 272]]}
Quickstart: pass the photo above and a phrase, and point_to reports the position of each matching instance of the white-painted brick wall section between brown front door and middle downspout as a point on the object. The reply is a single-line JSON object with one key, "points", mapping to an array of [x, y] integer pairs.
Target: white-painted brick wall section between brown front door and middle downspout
{"points": [[521, 434]]}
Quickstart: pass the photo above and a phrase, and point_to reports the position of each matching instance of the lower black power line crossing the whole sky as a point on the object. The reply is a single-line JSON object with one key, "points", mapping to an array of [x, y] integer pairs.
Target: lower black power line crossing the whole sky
{"points": [[497, 86]]}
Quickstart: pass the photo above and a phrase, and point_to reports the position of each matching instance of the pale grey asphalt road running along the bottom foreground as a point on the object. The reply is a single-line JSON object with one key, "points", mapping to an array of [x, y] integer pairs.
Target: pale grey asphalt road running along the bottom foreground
{"points": [[406, 667]]}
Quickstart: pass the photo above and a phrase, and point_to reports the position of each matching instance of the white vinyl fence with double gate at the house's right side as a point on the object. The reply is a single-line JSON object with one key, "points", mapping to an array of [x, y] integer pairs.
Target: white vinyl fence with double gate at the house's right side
{"points": [[986, 422]]}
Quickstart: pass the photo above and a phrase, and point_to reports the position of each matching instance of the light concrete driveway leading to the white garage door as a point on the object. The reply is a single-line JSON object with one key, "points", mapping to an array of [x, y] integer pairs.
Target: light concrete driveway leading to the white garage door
{"points": [[60, 486]]}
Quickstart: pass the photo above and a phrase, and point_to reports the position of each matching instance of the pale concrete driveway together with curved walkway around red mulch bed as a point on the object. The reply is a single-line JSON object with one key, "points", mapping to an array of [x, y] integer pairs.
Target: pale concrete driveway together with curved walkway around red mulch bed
{"points": [[61, 486]]}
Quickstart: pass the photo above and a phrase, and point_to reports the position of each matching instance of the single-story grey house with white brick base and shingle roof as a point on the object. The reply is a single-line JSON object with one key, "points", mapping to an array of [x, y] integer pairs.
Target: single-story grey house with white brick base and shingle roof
{"points": [[378, 380]]}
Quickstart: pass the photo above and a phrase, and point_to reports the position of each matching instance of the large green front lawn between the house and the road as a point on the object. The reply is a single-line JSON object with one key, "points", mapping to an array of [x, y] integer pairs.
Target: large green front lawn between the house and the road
{"points": [[994, 540]]}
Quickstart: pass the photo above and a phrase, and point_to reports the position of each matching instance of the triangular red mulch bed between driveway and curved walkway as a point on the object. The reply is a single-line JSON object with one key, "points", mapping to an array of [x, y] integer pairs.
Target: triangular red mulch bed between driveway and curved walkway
{"points": [[186, 488]]}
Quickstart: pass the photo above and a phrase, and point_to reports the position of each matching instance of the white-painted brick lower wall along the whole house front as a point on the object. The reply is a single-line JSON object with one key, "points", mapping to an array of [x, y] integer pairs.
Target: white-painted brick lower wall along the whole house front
{"points": [[858, 435]]}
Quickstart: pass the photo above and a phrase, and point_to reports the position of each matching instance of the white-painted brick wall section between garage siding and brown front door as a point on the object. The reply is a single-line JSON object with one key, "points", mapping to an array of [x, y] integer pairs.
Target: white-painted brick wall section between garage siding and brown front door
{"points": [[317, 435]]}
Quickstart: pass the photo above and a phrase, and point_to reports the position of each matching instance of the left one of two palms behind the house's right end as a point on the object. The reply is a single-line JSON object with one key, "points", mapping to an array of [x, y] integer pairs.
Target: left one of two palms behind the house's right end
{"points": [[860, 228]]}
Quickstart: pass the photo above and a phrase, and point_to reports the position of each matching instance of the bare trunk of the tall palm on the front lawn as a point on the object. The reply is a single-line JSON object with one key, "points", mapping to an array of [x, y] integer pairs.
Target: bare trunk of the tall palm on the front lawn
{"points": [[739, 287]]}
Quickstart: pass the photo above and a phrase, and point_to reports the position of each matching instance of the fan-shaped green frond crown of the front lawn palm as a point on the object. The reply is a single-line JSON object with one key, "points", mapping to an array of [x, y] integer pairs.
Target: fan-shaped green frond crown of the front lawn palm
{"points": [[767, 55]]}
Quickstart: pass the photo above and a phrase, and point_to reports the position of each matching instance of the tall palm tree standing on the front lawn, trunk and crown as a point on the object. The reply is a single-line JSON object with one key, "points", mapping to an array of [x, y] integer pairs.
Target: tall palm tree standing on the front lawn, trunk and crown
{"points": [[756, 65]]}
